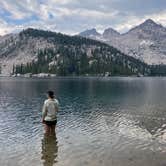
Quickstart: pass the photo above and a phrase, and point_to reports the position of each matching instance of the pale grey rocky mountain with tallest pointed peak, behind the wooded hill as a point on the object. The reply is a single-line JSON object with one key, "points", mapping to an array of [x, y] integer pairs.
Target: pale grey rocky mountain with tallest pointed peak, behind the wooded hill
{"points": [[145, 42]]}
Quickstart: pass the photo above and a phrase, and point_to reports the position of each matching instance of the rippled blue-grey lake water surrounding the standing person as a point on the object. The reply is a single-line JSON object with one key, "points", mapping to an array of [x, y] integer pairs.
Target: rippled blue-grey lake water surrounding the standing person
{"points": [[101, 122]]}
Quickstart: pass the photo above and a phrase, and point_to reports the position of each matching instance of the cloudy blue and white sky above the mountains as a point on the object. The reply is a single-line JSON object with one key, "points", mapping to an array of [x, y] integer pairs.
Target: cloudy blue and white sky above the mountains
{"points": [[74, 16]]}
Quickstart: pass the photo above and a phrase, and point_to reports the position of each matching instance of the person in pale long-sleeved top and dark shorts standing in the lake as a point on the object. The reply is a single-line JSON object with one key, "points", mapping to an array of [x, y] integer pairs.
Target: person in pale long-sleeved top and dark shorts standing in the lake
{"points": [[49, 113]]}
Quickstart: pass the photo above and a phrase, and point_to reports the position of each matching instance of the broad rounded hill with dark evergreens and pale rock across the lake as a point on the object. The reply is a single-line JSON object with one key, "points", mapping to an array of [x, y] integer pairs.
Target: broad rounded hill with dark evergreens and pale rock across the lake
{"points": [[37, 51]]}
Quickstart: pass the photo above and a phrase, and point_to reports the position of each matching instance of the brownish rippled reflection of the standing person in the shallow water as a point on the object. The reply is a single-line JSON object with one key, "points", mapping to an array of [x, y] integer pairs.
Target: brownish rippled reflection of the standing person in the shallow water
{"points": [[49, 150]]}
